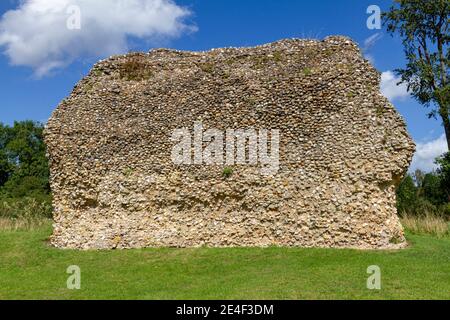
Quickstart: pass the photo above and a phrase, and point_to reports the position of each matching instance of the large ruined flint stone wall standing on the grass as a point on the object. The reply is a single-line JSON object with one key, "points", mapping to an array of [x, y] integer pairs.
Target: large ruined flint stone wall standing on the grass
{"points": [[342, 150]]}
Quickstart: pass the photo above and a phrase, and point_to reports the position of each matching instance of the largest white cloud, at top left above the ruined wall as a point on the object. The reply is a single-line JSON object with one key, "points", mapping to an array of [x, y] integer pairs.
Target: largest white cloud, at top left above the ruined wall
{"points": [[36, 34]]}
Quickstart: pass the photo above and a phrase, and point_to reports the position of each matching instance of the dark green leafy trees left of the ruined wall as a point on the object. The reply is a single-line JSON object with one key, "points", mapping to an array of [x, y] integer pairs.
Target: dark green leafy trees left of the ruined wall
{"points": [[24, 172]]}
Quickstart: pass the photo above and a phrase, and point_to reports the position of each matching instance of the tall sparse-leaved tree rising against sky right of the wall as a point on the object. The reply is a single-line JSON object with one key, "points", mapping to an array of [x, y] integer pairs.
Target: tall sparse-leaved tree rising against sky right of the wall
{"points": [[424, 29]]}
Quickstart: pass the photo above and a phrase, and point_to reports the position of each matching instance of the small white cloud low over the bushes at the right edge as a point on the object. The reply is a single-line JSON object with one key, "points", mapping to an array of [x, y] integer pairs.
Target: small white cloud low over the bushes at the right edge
{"points": [[427, 152]]}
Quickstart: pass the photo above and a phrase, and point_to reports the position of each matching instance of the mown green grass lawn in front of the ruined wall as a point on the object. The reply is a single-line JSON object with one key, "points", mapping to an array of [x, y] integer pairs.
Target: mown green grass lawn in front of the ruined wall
{"points": [[30, 269]]}
